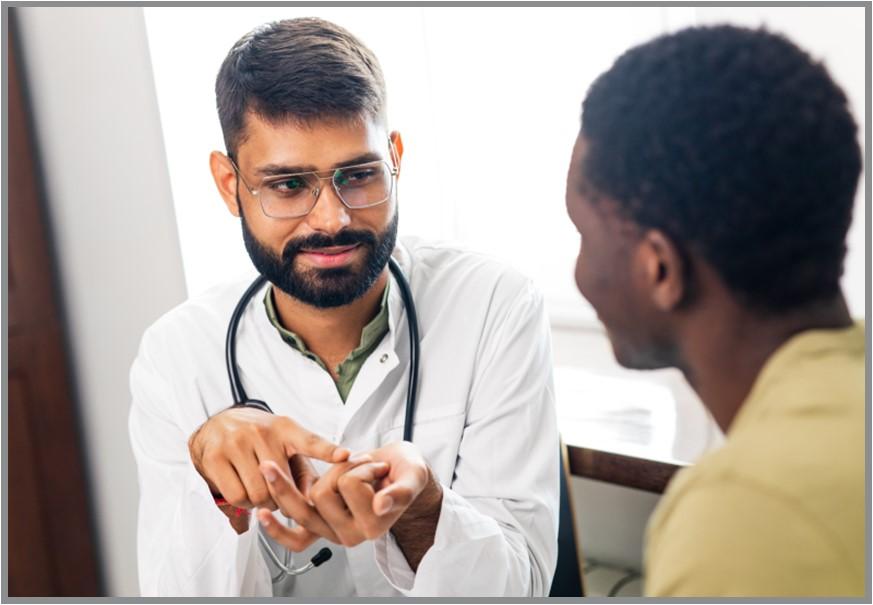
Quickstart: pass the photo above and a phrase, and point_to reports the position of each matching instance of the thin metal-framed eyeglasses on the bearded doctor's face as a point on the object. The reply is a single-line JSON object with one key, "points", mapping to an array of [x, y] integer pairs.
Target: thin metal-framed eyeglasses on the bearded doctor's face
{"points": [[295, 195]]}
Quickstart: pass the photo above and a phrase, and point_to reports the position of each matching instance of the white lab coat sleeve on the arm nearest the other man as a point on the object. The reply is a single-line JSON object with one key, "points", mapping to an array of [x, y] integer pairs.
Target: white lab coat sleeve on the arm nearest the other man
{"points": [[497, 530]]}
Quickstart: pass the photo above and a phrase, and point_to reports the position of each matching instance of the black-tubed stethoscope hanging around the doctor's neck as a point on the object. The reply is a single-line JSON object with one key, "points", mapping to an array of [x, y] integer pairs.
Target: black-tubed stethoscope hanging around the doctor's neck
{"points": [[240, 398]]}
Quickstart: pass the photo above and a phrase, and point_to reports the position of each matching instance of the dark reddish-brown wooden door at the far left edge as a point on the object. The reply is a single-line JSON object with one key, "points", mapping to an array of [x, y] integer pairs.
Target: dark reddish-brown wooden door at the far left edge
{"points": [[51, 545]]}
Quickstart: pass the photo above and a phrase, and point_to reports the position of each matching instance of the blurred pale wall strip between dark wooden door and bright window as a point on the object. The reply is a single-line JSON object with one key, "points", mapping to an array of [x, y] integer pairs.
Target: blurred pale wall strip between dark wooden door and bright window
{"points": [[111, 214]]}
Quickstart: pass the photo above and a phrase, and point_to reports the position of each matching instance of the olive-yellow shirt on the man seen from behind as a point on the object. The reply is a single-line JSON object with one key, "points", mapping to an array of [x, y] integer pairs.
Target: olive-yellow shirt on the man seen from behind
{"points": [[779, 509]]}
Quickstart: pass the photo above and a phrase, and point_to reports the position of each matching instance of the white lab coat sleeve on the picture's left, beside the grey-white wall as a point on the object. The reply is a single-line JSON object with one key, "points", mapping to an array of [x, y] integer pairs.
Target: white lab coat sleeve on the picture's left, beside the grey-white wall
{"points": [[185, 544]]}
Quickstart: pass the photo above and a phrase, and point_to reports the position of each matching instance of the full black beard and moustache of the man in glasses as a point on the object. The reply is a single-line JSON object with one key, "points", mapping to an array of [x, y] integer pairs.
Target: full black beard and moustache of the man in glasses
{"points": [[323, 288]]}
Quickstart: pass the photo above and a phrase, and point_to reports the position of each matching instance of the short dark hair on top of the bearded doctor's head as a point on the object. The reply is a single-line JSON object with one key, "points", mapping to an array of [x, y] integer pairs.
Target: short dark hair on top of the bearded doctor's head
{"points": [[304, 70]]}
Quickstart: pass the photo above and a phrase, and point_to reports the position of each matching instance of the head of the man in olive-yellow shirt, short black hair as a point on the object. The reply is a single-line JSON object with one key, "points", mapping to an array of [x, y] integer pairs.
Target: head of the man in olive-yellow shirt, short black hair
{"points": [[712, 163]]}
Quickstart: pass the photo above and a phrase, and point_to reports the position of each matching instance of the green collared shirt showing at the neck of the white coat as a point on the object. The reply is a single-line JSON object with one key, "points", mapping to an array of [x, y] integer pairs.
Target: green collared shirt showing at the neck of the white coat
{"points": [[348, 370]]}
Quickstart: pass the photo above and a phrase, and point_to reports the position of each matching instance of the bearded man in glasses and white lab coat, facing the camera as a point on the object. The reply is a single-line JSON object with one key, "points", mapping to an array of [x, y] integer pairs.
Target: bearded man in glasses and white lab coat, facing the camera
{"points": [[469, 507]]}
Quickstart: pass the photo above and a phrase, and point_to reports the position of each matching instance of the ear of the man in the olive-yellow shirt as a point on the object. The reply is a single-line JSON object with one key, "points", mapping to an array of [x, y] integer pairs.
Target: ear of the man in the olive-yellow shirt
{"points": [[663, 268]]}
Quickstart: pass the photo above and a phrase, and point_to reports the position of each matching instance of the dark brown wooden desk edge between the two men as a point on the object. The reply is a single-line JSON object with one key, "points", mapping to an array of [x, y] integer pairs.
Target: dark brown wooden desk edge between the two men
{"points": [[639, 473]]}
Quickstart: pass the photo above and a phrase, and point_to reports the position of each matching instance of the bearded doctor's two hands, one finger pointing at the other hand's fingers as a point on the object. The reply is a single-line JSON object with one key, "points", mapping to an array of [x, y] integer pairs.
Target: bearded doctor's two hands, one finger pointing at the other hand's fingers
{"points": [[256, 459]]}
